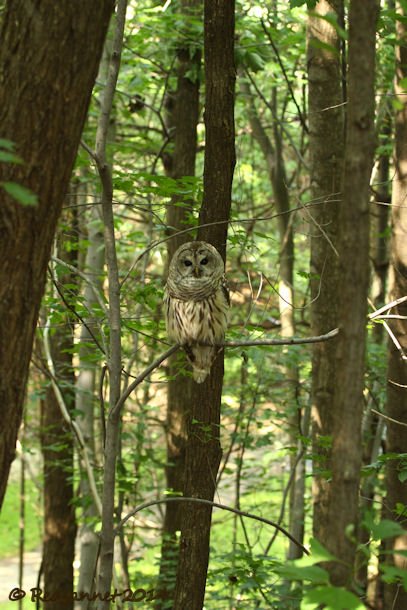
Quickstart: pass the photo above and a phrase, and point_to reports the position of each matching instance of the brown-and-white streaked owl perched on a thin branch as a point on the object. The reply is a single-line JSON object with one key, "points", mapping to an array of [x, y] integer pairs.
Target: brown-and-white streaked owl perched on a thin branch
{"points": [[196, 304]]}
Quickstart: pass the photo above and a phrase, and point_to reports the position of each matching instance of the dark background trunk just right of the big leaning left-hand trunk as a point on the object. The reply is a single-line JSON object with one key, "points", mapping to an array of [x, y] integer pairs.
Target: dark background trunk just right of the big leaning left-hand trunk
{"points": [[58, 452]]}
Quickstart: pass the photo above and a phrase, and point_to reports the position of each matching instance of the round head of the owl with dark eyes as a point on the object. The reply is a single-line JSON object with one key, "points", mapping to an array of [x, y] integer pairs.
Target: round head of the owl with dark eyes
{"points": [[195, 271]]}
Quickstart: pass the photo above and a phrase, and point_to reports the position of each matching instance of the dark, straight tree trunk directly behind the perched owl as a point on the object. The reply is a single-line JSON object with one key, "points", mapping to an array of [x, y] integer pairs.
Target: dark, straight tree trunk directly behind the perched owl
{"points": [[203, 452]]}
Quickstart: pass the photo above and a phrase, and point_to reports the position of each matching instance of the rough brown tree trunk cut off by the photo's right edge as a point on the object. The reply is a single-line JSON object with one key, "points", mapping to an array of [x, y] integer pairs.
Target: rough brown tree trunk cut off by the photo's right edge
{"points": [[395, 597]]}
